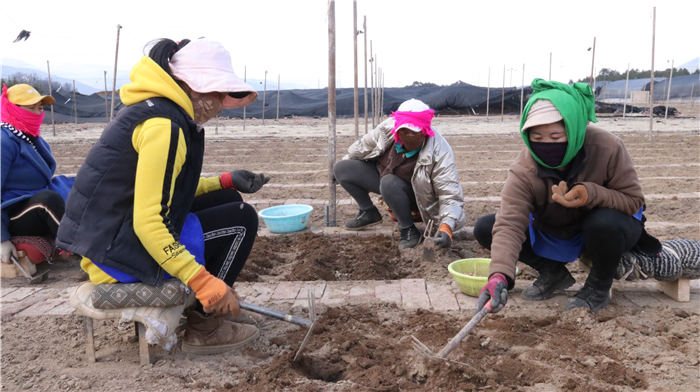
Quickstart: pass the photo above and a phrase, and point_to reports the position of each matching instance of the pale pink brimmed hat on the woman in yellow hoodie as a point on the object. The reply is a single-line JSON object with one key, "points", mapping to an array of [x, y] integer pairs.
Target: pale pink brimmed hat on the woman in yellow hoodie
{"points": [[205, 66]]}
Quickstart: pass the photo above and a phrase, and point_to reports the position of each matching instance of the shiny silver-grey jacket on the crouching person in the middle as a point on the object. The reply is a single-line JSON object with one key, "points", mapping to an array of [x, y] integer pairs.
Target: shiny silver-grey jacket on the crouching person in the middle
{"points": [[435, 180]]}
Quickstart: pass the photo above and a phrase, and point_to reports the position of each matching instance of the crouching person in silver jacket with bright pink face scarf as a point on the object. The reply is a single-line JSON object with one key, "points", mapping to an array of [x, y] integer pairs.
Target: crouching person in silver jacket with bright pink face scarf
{"points": [[412, 166]]}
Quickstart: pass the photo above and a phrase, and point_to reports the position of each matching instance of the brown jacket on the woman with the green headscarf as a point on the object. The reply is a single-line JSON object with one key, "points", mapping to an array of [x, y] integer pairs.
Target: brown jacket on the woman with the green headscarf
{"points": [[607, 172]]}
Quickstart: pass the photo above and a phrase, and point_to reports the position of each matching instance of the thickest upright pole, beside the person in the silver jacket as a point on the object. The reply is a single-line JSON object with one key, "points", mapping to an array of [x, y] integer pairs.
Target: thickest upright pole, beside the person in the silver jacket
{"points": [[330, 215]]}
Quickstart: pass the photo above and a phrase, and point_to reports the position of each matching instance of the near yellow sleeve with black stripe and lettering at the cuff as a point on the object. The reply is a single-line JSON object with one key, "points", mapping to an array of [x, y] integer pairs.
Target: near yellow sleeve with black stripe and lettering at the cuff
{"points": [[161, 147]]}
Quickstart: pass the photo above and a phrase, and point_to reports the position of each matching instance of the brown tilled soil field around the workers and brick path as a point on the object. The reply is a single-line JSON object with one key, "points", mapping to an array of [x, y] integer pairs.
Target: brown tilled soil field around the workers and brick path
{"points": [[538, 347]]}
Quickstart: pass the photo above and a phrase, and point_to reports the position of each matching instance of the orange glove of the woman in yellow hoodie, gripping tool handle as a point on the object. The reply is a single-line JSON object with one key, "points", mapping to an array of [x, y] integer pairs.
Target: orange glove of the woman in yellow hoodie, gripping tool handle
{"points": [[214, 294]]}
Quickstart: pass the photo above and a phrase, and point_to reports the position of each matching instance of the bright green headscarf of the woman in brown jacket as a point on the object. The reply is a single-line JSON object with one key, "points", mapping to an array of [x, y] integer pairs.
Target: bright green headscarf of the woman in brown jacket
{"points": [[576, 104]]}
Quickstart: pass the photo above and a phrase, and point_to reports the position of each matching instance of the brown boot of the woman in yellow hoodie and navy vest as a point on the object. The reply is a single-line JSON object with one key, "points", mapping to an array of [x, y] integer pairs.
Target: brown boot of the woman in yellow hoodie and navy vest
{"points": [[213, 334]]}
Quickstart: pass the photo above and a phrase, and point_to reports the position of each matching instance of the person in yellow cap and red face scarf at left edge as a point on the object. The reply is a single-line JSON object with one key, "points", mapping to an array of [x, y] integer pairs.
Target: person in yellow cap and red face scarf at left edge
{"points": [[33, 199]]}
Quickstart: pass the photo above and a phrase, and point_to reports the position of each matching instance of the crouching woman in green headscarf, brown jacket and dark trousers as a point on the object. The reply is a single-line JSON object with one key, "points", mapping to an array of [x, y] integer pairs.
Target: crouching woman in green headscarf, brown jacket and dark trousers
{"points": [[573, 188]]}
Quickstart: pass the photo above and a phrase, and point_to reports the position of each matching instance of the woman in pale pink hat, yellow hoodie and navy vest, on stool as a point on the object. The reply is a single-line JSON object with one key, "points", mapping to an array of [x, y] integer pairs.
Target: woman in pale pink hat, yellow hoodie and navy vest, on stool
{"points": [[141, 182]]}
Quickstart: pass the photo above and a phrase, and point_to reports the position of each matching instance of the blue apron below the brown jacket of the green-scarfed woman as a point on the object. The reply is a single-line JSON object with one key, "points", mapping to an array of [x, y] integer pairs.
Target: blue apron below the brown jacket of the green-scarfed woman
{"points": [[554, 248]]}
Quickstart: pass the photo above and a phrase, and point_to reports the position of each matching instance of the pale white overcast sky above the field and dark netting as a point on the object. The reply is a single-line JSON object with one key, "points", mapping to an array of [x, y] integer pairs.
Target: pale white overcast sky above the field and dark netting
{"points": [[438, 41]]}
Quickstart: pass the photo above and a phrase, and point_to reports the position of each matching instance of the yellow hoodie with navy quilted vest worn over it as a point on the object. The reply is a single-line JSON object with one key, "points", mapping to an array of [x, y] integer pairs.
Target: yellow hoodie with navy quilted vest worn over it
{"points": [[136, 186]]}
